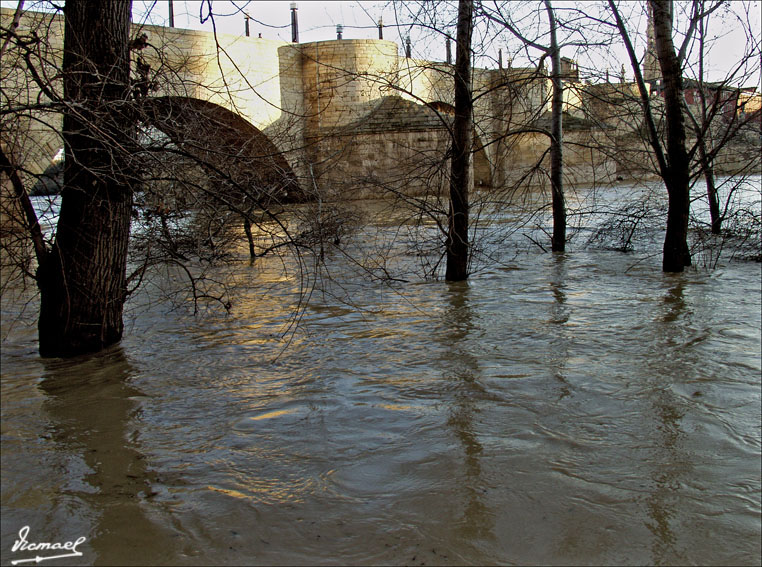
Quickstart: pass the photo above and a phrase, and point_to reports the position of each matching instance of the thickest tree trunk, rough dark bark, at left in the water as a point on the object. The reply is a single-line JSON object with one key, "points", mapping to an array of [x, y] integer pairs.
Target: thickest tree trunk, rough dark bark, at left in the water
{"points": [[83, 279]]}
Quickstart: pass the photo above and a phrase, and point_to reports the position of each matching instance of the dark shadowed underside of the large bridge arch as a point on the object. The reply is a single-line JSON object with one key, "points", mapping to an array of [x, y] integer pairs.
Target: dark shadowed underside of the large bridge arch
{"points": [[226, 144]]}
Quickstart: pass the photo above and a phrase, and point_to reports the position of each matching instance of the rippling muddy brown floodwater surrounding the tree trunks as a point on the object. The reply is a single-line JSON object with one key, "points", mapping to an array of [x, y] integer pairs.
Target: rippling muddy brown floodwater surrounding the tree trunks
{"points": [[555, 409]]}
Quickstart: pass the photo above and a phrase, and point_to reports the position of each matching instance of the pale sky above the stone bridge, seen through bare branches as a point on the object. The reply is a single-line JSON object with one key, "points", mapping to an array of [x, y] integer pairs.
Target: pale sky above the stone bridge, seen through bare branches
{"points": [[318, 19]]}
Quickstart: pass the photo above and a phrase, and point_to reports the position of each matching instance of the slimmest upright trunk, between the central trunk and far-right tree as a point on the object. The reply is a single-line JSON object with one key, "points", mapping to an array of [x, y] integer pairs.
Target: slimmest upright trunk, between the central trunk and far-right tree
{"points": [[558, 242]]}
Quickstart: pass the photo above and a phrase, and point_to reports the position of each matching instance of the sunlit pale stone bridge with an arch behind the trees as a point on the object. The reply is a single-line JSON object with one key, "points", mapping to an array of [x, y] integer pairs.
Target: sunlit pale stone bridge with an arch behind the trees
{"points": [[349, 117]]}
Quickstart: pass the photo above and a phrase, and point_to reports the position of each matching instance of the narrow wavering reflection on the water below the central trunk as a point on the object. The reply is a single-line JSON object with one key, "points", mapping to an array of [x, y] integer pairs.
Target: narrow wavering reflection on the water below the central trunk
{"points": [[463, 372]]}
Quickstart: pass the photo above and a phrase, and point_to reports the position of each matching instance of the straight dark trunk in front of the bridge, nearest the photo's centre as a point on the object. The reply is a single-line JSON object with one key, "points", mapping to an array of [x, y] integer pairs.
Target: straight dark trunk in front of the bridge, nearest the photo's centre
{"points": [[461, 175]]}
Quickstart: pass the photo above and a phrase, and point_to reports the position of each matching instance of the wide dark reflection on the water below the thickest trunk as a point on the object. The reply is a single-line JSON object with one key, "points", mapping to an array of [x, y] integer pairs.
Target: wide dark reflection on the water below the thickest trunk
{"points": [[94, 416]]}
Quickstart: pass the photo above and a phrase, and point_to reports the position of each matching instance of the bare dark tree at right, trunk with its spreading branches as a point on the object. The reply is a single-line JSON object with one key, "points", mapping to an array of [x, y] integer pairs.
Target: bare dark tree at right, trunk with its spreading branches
{"points": [[678, 159]]}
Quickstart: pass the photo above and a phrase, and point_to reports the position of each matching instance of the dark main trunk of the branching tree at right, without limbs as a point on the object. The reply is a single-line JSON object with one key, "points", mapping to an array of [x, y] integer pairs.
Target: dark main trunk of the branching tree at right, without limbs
{"points": [[676, 253]]}
